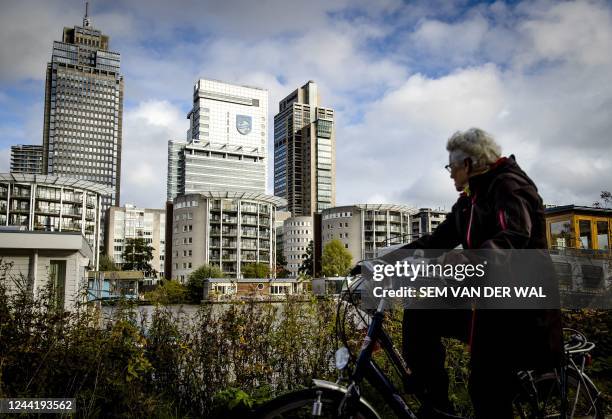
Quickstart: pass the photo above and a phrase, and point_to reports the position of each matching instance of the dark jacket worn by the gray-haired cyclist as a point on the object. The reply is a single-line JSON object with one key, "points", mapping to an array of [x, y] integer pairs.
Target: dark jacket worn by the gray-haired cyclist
{"points": [[503, 211]]}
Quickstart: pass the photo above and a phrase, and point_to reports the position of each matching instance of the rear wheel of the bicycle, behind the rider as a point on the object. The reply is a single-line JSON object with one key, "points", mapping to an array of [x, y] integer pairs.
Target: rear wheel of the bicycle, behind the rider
{"points": [[583, 400]]}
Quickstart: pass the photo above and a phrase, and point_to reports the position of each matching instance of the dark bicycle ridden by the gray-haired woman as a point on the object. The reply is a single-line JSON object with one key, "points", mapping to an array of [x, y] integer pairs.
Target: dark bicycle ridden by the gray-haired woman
{"points": [[564, 393]]}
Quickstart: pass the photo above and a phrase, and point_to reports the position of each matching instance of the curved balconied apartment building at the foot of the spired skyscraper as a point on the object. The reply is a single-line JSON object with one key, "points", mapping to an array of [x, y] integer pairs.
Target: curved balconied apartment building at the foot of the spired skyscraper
{"points": [[53, 204]]}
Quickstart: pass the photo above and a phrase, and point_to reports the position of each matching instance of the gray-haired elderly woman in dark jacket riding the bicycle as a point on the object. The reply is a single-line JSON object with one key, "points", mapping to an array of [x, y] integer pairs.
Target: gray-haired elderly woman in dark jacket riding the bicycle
{"points": [[498, 208]]}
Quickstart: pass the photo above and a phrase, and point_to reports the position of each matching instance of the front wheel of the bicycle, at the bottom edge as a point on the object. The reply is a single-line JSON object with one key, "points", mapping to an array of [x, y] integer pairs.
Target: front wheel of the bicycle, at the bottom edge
{"points": [[299, 404]]}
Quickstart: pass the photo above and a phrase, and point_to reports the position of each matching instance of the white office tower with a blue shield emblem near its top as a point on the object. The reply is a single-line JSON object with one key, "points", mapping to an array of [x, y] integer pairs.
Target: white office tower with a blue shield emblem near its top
{"points": [[226, 141]]}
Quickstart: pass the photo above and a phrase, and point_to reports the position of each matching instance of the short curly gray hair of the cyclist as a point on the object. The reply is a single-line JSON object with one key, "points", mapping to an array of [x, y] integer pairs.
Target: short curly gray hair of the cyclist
{"points": [[476, 144]]}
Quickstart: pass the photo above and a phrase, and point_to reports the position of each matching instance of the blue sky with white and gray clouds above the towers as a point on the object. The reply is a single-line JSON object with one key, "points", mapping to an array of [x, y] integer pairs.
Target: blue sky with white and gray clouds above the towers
{"points": [[401, 76]]}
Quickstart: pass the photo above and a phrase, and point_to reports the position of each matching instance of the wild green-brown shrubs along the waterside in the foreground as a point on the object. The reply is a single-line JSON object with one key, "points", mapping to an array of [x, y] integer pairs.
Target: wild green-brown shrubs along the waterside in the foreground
{"points": [[222, 358]]}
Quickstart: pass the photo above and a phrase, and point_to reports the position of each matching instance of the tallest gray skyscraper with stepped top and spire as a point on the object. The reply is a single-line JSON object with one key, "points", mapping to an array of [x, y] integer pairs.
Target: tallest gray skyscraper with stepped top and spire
{"points": [[83, 109]]}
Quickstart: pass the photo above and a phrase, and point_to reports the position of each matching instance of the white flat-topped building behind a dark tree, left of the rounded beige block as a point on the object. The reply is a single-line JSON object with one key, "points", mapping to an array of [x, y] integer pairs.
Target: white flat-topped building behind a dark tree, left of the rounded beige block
{"points": [[130, 222]]}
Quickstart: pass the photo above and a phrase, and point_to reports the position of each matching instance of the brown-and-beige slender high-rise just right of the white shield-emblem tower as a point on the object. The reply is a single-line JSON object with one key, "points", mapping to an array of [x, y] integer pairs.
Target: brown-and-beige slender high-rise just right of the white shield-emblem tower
{"points": [[304, 152]]}
